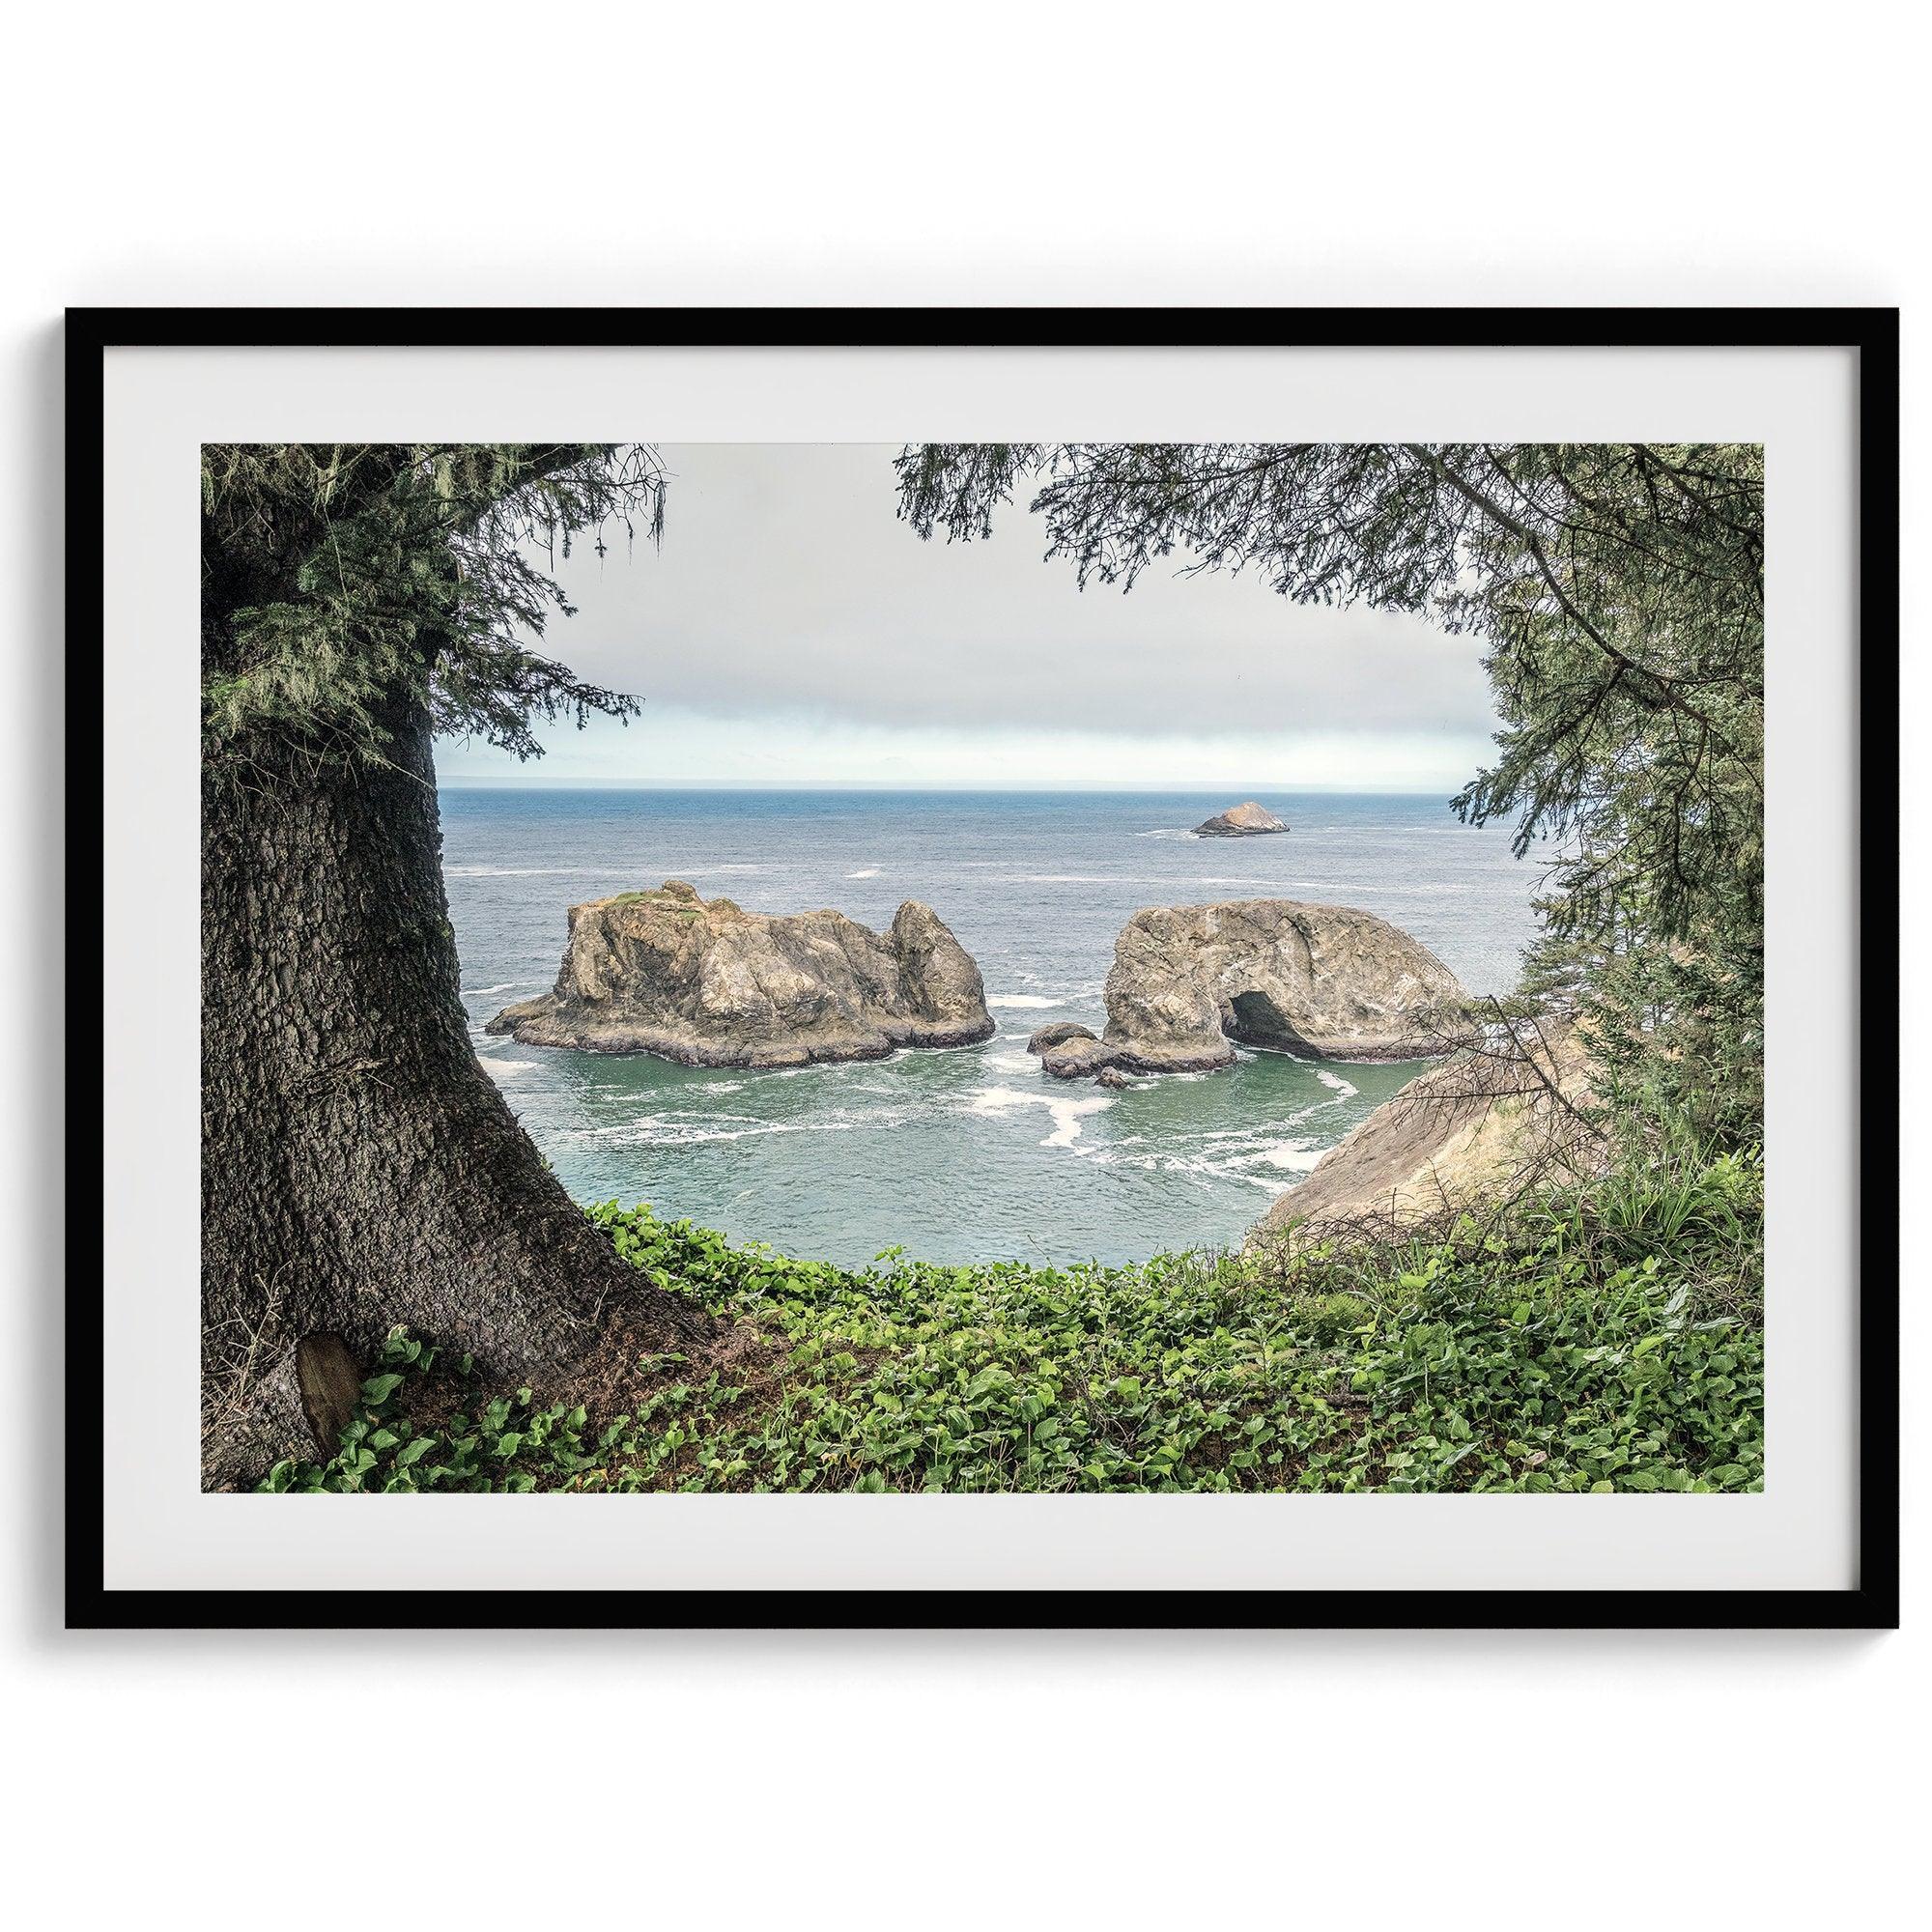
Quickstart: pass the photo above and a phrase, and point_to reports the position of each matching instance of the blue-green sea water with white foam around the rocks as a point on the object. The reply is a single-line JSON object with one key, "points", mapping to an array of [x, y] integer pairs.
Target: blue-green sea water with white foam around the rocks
{"points": [[965, 1154]]}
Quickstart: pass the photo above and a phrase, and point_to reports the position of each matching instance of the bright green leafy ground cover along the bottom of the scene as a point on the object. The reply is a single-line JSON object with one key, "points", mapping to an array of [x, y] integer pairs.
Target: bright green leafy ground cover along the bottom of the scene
{"points": [[1591, 1342]]}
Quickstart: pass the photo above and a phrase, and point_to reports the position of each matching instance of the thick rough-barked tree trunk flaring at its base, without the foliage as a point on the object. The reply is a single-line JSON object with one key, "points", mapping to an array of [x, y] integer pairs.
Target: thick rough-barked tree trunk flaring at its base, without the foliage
{"points": [[360, 1170]]}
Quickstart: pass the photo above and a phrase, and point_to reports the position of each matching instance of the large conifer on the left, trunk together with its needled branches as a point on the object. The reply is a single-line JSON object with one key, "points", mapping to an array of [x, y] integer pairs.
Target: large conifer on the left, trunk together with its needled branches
{"points": [[360, 1170]]}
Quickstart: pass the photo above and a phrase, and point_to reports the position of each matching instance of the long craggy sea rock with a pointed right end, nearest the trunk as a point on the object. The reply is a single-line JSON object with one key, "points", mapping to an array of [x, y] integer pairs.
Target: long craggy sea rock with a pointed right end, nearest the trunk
{"points": [[714, 986]]}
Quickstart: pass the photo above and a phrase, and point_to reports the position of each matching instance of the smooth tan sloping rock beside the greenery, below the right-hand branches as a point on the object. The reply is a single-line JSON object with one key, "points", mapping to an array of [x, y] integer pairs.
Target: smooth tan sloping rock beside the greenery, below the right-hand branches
{"points": [[1460, 1139]]}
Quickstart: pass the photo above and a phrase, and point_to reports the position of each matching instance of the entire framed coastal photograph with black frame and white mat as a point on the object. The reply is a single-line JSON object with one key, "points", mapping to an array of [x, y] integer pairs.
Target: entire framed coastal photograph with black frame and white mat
{"points": [[986, 969]]}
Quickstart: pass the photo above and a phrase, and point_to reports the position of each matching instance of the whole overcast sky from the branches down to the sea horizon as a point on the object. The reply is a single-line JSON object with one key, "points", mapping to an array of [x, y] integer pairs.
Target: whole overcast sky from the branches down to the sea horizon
{"points": [[793, 631]]}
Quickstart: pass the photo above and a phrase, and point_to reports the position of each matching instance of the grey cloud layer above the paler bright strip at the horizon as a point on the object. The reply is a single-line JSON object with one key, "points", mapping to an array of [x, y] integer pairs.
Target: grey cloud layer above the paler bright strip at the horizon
{"points": [[787, 584]]}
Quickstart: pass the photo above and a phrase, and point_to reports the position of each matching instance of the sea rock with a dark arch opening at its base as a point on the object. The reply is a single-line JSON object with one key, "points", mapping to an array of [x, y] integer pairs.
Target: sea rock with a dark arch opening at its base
{"points": [[1319, 982]]}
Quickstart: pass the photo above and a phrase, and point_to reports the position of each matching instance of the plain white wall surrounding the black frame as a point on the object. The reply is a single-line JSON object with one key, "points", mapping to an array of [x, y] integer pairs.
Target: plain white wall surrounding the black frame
{"points": [[1015, 154]]}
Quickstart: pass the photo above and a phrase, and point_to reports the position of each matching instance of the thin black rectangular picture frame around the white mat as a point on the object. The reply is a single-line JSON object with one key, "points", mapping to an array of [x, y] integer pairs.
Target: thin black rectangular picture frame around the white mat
{"points": [[1871, 331]]}
